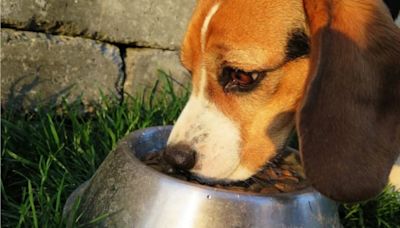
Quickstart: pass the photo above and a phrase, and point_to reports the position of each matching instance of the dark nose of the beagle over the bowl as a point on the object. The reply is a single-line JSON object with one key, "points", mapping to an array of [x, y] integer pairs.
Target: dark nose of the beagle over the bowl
{"points": [[180, 156]]}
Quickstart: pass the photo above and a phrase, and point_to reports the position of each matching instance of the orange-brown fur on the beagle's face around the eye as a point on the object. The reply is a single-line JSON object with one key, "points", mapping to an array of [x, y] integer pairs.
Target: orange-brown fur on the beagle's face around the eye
{"points": [[264, 49]]}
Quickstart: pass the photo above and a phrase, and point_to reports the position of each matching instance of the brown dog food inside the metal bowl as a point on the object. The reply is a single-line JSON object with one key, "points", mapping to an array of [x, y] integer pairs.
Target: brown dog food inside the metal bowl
{"points": [[283, 174]]}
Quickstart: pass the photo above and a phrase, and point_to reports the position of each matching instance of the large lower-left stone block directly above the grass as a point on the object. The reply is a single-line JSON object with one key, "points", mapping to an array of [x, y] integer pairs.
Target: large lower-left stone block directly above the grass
{"points": [[38, 68]]}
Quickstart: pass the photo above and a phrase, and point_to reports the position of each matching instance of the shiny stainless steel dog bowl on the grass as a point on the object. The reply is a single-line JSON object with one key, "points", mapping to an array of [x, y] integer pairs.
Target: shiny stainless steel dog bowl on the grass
{"points": [[127, 193]]}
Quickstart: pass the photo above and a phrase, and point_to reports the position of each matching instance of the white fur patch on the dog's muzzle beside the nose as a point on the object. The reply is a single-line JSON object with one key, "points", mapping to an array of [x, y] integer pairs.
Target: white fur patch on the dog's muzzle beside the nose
{"points": [[214, 137]]}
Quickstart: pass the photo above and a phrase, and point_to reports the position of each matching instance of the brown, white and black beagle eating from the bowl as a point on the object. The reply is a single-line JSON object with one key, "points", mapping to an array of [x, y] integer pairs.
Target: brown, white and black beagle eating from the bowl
{"points": [[260, 69]]}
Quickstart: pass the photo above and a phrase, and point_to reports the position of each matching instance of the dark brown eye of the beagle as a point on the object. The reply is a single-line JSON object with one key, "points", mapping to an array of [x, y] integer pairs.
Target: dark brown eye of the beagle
{"points": [[239, 80]]}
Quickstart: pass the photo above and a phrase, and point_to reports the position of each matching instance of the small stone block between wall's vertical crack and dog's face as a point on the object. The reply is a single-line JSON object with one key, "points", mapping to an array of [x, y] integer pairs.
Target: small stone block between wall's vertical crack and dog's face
{"points": [[143, 70]]}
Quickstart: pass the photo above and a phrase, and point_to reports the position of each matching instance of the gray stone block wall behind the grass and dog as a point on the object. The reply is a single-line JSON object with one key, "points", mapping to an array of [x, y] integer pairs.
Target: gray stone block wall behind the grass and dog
{"points": [[77, 48]]}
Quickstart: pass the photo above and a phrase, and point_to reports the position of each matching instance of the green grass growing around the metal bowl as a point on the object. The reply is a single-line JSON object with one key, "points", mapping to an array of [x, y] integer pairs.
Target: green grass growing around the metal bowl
{"points": [[46, 154]]}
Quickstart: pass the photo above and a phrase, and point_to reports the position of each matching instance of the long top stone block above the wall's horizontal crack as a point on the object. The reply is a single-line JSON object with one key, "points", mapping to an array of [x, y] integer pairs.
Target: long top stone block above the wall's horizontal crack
{"points": [[150, 23]]}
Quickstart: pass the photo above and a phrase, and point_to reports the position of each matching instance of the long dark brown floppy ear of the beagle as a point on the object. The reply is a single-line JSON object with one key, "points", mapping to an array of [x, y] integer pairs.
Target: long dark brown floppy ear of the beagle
{"points": [[349, 119]]}
